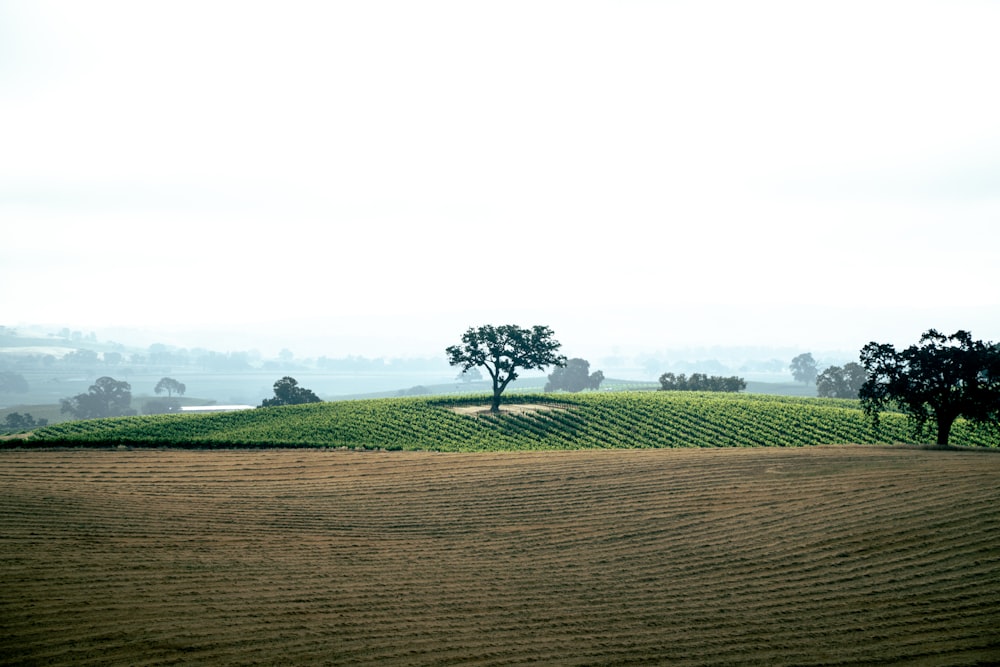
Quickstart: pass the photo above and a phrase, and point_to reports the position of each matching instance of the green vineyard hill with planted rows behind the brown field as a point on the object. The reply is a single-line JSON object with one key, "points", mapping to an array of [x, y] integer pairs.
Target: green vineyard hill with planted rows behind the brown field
{"points": [[528, 422]]}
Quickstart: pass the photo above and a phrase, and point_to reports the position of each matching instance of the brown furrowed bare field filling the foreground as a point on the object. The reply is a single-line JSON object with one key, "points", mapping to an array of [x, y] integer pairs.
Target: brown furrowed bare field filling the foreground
{"points": [[680, 557]]}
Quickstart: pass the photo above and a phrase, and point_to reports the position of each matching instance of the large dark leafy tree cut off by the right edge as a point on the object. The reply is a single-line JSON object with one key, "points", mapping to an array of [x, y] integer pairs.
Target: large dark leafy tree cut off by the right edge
{"points": [[938, 380]]}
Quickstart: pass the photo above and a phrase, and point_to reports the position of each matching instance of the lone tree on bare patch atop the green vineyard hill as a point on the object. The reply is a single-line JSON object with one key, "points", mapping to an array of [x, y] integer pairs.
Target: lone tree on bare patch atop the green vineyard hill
{"points": [[504, 349]]}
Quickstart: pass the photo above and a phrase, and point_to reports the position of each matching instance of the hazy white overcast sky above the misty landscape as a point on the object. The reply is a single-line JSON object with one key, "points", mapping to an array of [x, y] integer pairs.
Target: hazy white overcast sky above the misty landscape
{"points": [[374, 177]]}
